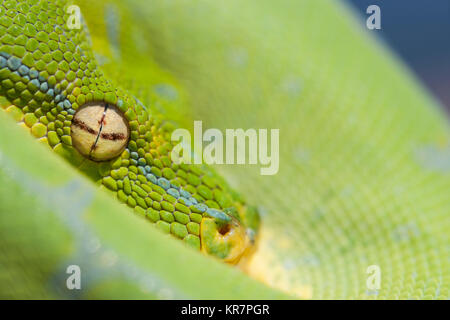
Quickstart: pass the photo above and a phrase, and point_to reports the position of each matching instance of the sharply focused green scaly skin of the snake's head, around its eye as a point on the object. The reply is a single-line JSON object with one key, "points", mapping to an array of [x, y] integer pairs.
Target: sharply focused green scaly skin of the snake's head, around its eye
{"points": [[48, 72]]}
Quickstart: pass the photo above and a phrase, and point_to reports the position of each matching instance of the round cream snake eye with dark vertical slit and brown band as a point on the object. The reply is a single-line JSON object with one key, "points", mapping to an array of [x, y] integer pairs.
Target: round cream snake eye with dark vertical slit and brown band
{"points": [[99, 131]]}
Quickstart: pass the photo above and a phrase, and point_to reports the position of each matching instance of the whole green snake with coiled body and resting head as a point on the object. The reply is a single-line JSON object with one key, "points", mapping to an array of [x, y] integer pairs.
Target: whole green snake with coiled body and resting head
{"points": [[364, 154]]}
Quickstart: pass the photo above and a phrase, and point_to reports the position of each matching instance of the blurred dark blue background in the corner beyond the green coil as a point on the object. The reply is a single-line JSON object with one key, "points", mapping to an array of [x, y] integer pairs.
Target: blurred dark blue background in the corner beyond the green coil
{"points": [[419, 32]]}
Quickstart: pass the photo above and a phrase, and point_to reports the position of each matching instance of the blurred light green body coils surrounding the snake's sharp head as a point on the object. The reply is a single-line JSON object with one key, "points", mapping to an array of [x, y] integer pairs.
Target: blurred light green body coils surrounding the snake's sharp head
{"points": [[364, 160]]}
